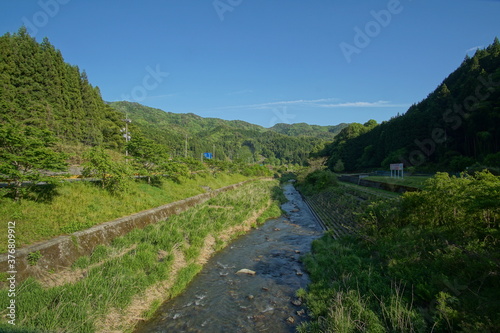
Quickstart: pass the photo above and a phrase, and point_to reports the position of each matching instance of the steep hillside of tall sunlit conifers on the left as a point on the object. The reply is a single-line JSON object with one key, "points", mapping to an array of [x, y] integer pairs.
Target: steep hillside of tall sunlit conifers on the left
{"points": [[38, 89]]}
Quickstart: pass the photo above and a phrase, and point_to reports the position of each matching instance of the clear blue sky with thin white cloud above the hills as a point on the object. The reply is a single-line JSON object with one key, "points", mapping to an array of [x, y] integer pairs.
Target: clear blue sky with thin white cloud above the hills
{"points": [[322, 62]]}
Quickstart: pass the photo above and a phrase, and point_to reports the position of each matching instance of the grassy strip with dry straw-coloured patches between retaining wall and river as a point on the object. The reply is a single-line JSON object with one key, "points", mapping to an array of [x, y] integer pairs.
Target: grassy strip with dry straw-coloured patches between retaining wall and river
{"points": [[128, 280]]}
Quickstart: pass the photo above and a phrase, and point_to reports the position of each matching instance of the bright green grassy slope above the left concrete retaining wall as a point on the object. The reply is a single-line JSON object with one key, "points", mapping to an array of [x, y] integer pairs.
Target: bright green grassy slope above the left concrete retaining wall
{"points": [[81, 205]]}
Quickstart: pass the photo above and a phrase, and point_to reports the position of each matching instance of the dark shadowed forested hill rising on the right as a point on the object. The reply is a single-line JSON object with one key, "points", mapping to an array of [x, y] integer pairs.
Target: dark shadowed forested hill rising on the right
{"points": [[457, 126]]}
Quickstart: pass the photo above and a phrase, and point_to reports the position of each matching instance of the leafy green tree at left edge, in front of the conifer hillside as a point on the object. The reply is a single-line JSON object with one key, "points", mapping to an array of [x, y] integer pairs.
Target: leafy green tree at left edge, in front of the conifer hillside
{"points": [[25, 152]]}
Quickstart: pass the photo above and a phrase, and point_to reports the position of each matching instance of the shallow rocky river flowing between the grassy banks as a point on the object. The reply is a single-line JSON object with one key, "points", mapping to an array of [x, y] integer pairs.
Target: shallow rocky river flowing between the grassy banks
{"points": [[220, 300]]}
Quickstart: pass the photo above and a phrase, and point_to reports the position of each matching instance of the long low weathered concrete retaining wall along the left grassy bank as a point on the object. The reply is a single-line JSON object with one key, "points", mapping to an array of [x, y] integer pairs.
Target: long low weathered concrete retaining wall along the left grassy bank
{"points": [[59, 253]]}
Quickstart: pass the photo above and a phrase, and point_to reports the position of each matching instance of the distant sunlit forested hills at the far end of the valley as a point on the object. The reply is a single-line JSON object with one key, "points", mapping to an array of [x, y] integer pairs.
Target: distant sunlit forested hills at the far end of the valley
{"points": [[236, 140]]}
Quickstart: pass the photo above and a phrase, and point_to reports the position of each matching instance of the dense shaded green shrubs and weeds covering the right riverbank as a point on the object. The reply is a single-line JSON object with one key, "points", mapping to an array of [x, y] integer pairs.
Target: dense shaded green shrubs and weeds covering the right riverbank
{"points": [[427, 261]]}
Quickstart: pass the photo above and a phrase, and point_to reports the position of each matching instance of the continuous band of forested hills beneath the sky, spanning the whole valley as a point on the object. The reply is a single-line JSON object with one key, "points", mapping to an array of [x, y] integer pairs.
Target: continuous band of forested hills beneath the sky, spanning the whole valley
{"points": [[455, 127]]}
